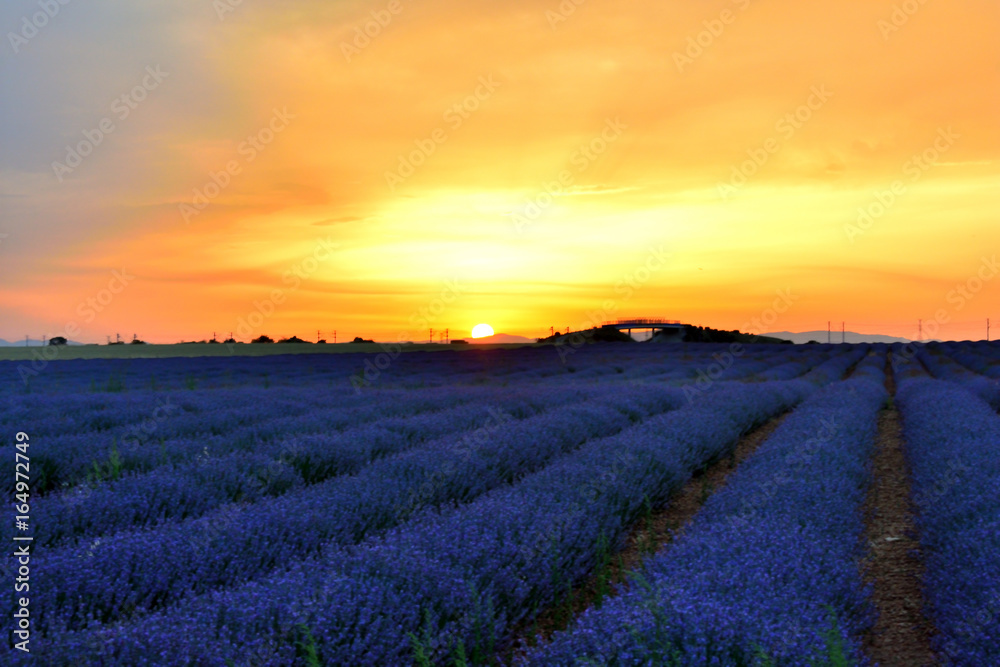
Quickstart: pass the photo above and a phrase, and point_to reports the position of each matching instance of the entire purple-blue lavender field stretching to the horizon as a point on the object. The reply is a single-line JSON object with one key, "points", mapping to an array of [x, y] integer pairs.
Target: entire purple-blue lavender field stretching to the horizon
{"points": [[476, 507]]}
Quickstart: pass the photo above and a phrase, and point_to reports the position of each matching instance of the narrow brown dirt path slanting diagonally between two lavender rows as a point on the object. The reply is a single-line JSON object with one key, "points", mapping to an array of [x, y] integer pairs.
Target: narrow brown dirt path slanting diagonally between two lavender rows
{"points": [[649, 534]]}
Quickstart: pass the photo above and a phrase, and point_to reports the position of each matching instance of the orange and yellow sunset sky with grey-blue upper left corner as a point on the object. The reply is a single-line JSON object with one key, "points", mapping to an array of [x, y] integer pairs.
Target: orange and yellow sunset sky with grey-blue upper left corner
{"points": [[525, 163]]}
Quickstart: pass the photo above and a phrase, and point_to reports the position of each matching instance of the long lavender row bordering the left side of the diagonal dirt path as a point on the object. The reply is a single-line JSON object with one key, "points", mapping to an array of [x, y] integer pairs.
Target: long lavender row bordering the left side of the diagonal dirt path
{"points": [[455, 579]]}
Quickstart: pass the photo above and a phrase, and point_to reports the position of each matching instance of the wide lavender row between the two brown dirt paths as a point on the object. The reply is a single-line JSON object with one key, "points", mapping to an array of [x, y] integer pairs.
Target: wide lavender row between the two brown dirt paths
{"points": [[767, 572]]}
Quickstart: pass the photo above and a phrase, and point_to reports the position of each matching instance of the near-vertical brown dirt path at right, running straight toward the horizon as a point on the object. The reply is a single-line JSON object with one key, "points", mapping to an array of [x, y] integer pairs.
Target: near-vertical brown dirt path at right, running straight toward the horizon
{"points": [[901, 635]]}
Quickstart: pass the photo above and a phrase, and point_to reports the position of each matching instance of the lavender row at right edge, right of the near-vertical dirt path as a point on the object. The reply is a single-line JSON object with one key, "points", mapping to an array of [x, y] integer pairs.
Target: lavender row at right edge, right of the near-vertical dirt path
{"points": [[953, 440]]}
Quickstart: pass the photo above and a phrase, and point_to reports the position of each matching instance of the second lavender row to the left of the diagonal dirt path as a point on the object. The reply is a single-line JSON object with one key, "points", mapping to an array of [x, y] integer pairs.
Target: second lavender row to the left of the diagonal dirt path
{"points": [[144, 570]]}
